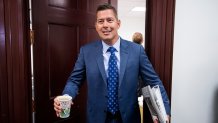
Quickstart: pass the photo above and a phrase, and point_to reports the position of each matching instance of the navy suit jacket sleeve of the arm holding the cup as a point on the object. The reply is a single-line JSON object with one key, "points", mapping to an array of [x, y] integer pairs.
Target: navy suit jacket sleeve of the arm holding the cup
{"points": [[77, 77]]}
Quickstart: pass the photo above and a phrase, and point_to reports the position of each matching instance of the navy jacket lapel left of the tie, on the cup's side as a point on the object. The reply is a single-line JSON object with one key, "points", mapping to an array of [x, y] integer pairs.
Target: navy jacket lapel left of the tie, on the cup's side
{"points": [[100, 60]]}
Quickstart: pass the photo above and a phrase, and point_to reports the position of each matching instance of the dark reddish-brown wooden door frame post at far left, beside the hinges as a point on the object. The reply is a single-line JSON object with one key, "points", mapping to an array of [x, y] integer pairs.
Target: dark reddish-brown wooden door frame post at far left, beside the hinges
{"points": [[15, 82]]}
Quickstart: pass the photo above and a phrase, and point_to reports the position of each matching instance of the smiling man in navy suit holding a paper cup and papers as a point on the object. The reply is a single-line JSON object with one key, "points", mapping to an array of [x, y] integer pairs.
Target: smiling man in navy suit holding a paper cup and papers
{"points": [[92, 65]]}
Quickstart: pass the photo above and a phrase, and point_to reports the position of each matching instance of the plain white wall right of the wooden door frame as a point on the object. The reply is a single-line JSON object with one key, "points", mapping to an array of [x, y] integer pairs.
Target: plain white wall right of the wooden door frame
{"points": [[195, 62]]}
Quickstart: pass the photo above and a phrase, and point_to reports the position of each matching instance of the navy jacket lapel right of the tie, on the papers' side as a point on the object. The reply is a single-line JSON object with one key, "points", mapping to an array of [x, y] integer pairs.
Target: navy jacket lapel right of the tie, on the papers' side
{"points": [[123, 58]]}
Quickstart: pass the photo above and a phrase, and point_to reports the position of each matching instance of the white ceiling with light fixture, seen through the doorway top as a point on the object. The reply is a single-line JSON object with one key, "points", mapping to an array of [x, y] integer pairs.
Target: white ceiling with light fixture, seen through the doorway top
{"points": [[125, 7]]}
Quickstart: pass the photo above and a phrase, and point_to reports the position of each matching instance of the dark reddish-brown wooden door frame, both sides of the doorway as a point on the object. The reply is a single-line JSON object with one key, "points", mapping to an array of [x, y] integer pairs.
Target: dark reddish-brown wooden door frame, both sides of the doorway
{"points": [[16, 78]]}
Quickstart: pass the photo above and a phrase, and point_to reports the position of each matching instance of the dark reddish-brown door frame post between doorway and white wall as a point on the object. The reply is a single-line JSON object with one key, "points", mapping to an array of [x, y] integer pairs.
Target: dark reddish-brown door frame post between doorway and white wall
{"points": [[159, 38]]}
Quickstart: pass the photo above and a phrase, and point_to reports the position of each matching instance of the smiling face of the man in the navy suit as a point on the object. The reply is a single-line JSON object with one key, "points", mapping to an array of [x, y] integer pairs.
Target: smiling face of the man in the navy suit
{"points": [[107, 26]]}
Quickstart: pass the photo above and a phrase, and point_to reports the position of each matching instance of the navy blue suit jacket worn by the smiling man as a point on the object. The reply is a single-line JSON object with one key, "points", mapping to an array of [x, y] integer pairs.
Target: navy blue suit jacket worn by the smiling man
{"points": [[133, 63]]}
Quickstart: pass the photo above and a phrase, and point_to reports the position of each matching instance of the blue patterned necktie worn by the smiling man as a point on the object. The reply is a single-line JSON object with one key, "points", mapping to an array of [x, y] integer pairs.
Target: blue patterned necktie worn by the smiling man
{"points": [[112, 81]]}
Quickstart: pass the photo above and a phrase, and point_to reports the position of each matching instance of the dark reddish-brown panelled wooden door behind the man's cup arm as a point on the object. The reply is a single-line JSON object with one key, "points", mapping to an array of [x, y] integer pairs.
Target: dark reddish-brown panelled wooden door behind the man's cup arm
{"points": [[61, 28]]}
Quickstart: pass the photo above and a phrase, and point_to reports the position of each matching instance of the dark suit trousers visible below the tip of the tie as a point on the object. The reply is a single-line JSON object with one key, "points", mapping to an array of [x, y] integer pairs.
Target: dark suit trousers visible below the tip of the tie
{"points": [[113, 118]]}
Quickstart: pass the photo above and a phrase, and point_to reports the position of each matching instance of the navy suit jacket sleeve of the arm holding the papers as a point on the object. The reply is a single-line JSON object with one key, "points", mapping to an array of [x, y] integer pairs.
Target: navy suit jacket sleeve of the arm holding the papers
{"points": [[150, 77]]}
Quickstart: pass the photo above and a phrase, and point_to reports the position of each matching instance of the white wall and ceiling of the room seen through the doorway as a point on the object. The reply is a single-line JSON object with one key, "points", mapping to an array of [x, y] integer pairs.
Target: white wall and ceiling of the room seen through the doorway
{"points": [[131, 21]]}
